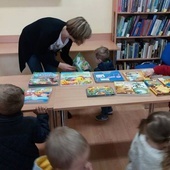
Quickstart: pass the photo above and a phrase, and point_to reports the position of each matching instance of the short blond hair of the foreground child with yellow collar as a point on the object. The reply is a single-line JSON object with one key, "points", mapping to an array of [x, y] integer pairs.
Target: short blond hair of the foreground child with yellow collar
{"points": [[63, 146]]}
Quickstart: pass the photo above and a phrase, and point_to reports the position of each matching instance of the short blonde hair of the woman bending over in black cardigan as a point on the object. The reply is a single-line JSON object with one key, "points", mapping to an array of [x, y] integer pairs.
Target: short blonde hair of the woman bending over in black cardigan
{"points": [[79, 29]]}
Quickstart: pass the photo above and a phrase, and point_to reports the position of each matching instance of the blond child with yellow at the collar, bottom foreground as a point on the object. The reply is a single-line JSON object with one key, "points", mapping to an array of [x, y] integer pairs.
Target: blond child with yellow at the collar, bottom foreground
{"points": [[66, 149]]}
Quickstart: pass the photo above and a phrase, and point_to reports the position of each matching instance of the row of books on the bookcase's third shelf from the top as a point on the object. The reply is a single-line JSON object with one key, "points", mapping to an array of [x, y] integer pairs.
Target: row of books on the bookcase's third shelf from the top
{"points": [[141, 49]]}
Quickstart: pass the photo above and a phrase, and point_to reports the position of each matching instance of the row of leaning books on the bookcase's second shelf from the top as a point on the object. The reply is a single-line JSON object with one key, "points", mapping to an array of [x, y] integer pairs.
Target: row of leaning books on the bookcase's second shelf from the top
{"points": [[151, 25]]}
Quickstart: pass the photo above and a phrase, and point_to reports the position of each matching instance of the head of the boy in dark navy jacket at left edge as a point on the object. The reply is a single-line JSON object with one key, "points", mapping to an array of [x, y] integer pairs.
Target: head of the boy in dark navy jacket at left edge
{"points": [[11, 99]]}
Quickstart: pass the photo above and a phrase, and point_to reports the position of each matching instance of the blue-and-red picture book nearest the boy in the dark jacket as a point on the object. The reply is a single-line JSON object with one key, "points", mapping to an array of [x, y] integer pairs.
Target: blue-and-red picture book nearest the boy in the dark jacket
{"points": [[37, 95]]}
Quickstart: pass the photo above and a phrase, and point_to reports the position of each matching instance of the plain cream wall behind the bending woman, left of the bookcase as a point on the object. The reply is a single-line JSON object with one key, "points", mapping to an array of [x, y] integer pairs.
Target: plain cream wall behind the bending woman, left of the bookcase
{"points": [[15, 14]]}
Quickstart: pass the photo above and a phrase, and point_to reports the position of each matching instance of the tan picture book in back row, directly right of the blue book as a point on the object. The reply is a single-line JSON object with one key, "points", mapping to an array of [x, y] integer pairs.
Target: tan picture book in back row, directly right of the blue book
{"points": [[134, 75]]}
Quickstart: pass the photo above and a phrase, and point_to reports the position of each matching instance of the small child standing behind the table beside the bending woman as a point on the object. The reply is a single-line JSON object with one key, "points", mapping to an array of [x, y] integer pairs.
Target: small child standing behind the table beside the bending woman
{"points": [[104, 64]]}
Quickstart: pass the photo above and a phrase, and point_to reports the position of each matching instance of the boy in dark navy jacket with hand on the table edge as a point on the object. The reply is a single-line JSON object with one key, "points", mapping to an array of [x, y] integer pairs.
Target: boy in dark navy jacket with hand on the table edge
{"points": [[18, 134]]}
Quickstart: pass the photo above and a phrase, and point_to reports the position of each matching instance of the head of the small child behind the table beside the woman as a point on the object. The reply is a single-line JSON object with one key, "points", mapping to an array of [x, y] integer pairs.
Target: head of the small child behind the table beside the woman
{"points": [[102, 53]]}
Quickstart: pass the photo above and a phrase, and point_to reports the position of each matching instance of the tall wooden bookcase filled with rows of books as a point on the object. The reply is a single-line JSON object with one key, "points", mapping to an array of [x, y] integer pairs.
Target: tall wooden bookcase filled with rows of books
{"points": [[141, 29]]}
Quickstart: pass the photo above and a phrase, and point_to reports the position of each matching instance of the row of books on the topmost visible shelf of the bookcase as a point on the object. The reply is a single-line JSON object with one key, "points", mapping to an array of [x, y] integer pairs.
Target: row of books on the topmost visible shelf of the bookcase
{"points": [[143, 5]]}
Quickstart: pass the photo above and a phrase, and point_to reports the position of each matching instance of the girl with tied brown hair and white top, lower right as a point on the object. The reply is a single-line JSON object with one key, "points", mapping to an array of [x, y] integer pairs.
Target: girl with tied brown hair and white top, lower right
{"points": [[150, 149]]}
